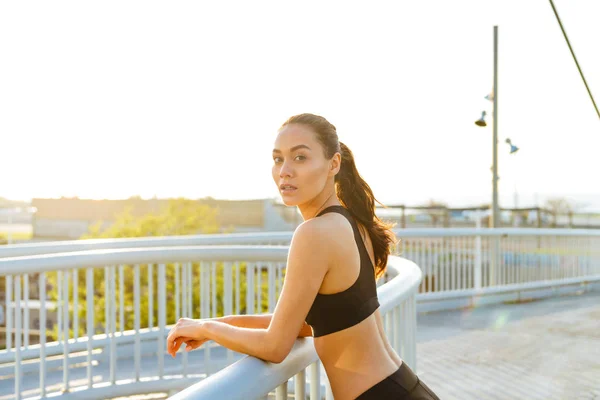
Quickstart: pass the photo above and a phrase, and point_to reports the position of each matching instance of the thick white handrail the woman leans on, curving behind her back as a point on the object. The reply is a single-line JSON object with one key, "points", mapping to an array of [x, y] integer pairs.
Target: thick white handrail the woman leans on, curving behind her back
{"points": [[254, 378]]}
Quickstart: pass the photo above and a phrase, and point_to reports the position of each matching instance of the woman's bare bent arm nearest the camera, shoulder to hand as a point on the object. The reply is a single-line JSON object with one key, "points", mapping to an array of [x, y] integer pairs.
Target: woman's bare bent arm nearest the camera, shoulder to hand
{"points": [[308, 262]]}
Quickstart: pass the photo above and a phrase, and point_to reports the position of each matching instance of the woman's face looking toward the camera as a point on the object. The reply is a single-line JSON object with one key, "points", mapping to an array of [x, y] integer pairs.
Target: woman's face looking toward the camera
{"points": [[300, 169]]}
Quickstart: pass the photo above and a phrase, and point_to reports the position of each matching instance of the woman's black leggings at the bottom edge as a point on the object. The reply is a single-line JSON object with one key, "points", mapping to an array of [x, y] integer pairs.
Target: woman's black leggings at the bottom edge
{"points": [[401, 385]]}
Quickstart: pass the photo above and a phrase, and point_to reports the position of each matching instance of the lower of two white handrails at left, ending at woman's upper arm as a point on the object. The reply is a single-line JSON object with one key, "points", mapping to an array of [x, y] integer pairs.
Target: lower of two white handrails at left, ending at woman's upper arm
{"points": [[156, 255]]}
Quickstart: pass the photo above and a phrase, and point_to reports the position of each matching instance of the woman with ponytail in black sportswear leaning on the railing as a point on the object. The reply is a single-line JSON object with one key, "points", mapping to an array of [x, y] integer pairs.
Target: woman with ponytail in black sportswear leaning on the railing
{"points": [[329, 290]]}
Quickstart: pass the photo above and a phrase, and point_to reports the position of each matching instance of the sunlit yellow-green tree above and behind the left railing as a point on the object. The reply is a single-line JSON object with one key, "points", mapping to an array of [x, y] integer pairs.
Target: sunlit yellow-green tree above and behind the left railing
{"points": [[179, 217]]}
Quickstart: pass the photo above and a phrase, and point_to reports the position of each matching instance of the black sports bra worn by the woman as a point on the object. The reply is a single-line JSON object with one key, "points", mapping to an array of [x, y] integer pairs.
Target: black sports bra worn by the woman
{"points": [[337, 311]]}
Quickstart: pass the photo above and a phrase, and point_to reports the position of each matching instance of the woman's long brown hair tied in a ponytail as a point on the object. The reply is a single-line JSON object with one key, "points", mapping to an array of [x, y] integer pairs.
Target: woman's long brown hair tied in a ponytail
{"points": [[351, 190]]}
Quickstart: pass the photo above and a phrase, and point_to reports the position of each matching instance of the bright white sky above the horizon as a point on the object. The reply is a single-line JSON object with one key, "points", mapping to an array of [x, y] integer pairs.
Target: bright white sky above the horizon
{"points": [[119, 98]]}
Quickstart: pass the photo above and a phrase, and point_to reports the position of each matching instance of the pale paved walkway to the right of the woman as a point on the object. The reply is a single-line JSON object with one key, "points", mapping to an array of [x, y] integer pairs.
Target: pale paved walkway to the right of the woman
{"points": [[547, 349]]}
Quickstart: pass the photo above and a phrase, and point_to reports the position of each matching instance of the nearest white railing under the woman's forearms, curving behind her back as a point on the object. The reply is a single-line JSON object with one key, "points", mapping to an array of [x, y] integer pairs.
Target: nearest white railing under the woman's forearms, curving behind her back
{"points": [[256, 379]]}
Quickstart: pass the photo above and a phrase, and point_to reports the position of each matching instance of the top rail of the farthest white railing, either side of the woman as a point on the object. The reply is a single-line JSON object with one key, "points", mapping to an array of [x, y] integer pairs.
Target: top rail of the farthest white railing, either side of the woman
{"points": [[255, 238]]}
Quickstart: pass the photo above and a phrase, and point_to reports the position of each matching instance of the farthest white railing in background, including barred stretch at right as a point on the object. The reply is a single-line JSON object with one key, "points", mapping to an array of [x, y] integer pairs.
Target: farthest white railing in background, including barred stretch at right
{"points": [[451, 259]]}
